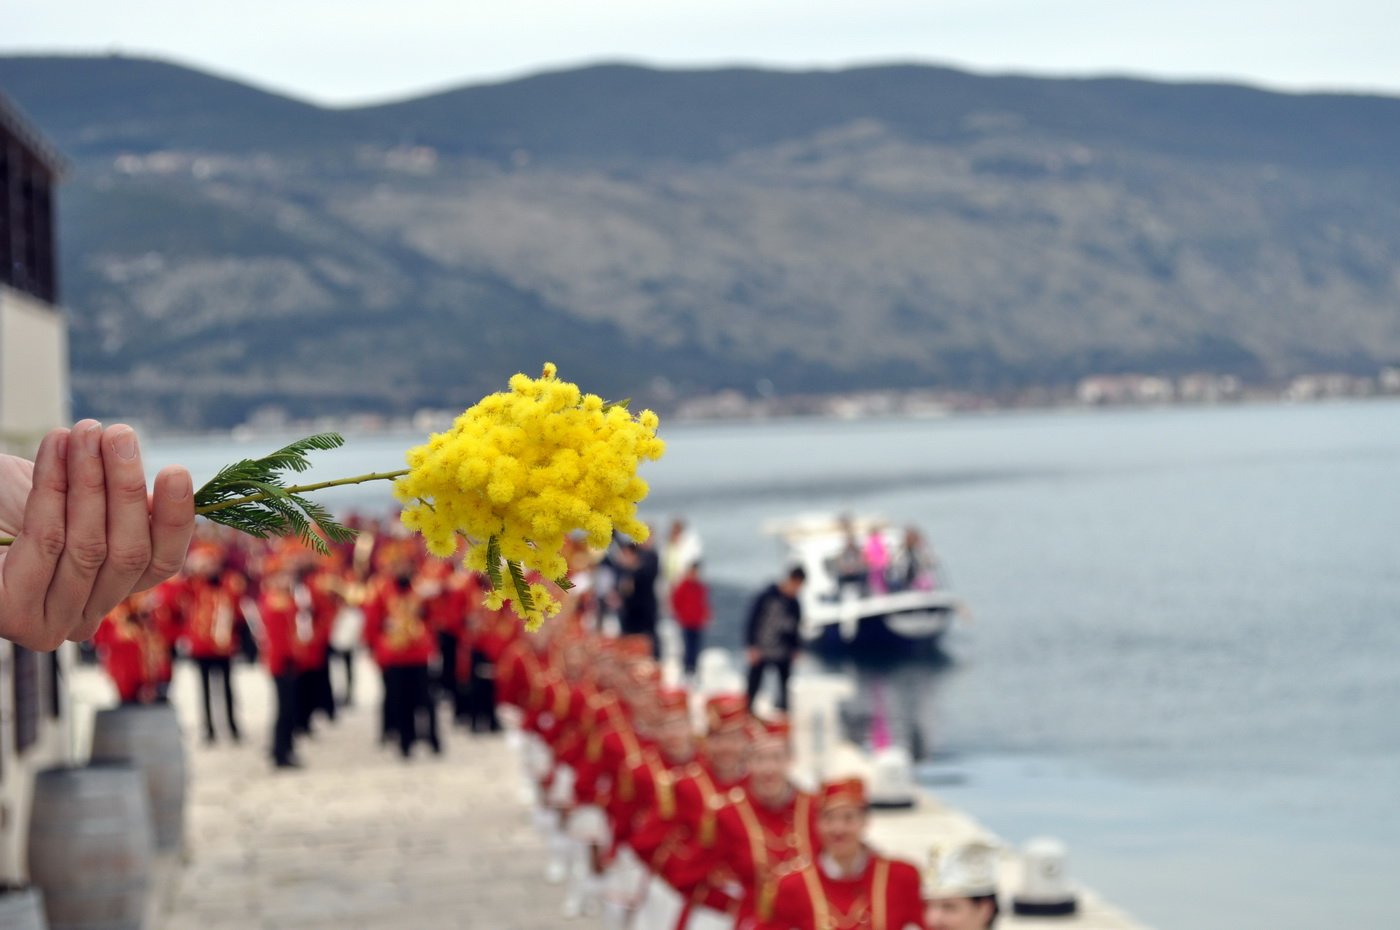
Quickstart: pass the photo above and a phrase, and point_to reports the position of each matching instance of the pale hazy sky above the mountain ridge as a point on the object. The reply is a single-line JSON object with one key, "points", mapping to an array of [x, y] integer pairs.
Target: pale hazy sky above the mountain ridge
{"points": [[341, 51]]}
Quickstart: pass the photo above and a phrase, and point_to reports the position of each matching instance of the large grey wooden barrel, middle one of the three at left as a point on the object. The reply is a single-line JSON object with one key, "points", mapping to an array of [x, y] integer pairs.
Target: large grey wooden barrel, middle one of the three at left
{"points": [[92, 847]]}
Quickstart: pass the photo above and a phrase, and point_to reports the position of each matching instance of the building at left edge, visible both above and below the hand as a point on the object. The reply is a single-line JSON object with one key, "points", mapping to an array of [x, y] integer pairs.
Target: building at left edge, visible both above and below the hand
{"points": [[36, 730]]}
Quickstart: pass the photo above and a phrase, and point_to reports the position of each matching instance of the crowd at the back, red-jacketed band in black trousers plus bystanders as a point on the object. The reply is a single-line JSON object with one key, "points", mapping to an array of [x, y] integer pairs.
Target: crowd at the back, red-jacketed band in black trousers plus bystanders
{"points": [[422, 620]]}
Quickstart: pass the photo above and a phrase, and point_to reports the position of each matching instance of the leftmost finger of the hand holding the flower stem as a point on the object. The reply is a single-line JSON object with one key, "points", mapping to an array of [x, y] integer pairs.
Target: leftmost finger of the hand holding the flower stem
{"points": [[34, 557]]}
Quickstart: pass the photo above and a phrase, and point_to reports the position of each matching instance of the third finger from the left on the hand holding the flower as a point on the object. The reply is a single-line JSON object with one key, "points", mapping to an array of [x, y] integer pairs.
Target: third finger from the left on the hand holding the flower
{"points": [[128, 529]]}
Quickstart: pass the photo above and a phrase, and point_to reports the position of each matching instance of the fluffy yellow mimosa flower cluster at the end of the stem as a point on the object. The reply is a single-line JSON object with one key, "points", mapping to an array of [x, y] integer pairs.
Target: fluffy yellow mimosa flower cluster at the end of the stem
{"points": [[521, 471]]}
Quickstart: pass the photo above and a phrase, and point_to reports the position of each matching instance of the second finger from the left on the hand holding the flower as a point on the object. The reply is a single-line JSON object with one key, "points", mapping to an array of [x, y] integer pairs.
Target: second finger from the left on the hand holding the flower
{"points": [[85, 544]]}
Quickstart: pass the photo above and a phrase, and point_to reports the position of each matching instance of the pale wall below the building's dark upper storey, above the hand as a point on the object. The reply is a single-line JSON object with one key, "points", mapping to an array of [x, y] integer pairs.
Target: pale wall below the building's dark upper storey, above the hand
{"points": [[34, 370]]}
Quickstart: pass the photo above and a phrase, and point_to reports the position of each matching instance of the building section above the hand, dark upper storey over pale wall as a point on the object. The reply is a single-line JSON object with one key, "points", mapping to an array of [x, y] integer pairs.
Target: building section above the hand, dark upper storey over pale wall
{"points": [[34, 347]]}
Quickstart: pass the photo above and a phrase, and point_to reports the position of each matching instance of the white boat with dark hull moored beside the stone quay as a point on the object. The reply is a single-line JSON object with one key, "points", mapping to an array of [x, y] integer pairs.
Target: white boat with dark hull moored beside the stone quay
{"points": [[873, 613]]}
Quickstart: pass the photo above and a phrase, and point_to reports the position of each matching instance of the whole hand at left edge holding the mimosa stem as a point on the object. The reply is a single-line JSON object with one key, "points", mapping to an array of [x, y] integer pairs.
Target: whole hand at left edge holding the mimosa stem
{"points": [[86, 533]]}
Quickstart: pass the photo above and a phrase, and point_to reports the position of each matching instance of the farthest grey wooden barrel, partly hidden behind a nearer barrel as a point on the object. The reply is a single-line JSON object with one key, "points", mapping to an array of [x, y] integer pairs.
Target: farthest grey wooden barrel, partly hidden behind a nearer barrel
{"points": [[149, 737]]}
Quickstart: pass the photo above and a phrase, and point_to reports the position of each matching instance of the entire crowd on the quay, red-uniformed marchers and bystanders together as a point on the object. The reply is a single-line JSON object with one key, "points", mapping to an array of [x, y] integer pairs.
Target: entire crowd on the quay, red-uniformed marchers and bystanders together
{"points": [[653, 823]]}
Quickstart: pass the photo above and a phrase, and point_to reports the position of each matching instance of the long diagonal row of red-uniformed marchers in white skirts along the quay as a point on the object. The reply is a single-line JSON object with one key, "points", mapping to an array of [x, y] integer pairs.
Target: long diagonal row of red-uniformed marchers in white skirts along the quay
{"points": [[659, 824]]}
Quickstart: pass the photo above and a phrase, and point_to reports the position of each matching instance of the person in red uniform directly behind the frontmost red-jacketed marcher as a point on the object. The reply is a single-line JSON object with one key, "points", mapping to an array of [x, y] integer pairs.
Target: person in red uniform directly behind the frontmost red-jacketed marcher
{"points": [[765, 827]]}
